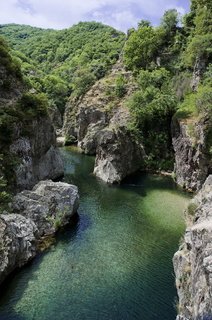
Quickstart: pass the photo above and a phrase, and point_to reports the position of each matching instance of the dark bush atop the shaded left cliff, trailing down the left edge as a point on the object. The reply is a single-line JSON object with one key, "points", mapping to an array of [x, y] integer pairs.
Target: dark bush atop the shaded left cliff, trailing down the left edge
{"points": [[29, 106]]}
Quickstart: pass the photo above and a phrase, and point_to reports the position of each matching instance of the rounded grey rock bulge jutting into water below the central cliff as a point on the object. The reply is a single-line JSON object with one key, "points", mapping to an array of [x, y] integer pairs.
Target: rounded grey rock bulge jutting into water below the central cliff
{"points": [[117, 155]]}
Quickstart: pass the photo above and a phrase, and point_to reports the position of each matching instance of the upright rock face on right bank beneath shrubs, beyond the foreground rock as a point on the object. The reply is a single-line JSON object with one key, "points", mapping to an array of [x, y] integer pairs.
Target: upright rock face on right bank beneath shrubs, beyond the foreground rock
{"points": [[192, 159]]}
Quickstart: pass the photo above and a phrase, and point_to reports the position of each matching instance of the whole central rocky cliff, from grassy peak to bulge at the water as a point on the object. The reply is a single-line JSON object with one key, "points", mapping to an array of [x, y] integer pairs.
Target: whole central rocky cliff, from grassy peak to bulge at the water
{"points": [[99, 123]]}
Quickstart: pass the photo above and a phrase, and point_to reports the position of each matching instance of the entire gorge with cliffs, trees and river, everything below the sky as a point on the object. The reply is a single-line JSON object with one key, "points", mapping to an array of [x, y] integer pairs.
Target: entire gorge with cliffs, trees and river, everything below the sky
{"points": [[146, 109]]}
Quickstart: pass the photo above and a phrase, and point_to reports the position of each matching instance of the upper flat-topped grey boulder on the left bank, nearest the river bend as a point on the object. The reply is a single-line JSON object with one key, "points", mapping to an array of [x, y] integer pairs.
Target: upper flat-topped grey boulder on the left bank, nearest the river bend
{"points": [[49, 205]]}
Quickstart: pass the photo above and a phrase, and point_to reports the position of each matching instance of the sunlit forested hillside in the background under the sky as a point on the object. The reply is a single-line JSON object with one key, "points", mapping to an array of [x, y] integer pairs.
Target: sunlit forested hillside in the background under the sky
{"points": [[60, 62]]}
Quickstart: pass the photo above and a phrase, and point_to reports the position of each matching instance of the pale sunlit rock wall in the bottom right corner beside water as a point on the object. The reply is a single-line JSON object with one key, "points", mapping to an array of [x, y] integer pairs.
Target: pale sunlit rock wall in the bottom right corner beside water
{"points": [[193, 261]]}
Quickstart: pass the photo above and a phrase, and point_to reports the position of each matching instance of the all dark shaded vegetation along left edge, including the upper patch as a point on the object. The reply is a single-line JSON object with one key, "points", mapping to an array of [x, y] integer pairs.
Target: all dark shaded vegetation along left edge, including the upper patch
{"points": [[24, 110]]}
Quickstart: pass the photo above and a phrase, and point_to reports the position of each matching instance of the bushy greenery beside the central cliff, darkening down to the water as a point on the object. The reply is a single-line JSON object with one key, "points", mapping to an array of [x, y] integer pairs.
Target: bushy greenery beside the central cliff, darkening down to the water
{"points": [[152, 110]]}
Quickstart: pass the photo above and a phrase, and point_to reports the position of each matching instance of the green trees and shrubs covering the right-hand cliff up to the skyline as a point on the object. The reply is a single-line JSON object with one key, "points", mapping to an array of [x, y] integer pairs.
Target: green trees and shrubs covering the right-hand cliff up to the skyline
{"points": [[172, 65]]}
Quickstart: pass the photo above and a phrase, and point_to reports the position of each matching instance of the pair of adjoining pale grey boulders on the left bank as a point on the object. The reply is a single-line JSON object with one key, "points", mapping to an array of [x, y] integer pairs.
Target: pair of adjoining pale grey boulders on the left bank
{"points": [[35, 214]]}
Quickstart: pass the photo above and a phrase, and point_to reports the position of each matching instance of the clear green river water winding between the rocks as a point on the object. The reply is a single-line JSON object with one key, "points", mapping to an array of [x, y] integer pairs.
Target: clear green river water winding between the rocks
{"points": [[114, 262]]}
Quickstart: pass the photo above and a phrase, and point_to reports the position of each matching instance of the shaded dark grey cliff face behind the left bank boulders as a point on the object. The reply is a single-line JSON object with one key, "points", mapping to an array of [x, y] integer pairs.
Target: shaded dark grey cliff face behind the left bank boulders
{"points": [[39, 158]]}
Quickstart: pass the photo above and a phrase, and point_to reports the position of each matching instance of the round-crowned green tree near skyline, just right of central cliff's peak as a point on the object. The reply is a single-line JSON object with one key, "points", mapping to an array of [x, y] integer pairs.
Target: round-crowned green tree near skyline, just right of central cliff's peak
{"points": [[140, 49]]}
